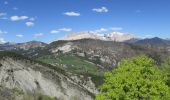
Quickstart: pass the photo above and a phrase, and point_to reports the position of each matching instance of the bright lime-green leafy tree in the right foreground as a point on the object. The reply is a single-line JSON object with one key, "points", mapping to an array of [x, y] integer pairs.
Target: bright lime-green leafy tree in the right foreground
{"points": [[136, 78]]}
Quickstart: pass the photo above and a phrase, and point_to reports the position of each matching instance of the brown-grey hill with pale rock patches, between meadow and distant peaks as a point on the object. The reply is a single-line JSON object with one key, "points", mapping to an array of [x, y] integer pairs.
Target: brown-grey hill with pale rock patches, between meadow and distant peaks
{"points": [[105, 53]]}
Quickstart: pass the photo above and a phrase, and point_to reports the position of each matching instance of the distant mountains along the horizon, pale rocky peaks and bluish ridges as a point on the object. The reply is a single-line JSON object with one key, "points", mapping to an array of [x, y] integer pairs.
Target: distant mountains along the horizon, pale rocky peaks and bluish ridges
{"points": [[115, 36]]}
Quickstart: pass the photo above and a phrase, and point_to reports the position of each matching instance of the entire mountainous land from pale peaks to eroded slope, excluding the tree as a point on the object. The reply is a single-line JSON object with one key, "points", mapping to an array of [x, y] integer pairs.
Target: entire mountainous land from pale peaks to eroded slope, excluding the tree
{"points": [[71, 68]]}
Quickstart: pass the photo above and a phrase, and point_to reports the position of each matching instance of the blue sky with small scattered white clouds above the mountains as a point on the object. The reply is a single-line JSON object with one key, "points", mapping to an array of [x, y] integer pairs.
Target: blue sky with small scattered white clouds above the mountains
{"points": [[49, 20]]}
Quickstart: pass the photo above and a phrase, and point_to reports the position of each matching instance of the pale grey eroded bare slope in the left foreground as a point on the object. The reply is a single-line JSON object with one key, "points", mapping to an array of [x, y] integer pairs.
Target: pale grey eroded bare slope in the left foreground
{"points": [[31, 77]]}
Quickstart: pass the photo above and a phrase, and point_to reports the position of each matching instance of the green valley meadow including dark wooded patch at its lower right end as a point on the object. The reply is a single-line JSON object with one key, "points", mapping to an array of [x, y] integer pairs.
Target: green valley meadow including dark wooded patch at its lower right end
{"points": [[76, 64]]}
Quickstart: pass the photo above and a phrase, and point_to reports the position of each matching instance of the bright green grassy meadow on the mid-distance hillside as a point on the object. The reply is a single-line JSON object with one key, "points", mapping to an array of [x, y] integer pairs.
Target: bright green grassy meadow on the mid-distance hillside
{"points": [[74, 64]]}
